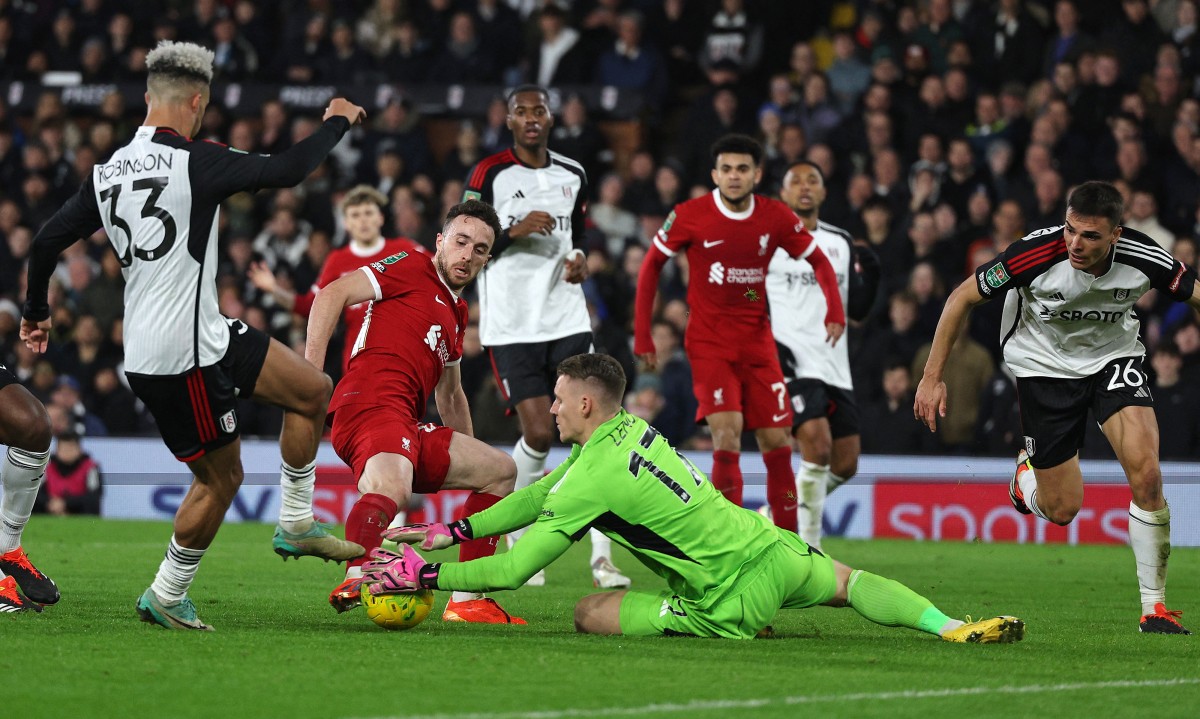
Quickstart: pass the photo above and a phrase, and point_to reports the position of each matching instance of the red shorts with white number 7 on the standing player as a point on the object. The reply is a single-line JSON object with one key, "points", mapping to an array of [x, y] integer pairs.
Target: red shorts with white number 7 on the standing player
{"points": [[755, 391]]}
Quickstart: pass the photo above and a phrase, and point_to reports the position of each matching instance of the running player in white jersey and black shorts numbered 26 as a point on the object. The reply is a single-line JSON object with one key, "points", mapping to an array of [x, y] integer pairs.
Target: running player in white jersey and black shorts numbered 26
{"points": [[1071, 338]]}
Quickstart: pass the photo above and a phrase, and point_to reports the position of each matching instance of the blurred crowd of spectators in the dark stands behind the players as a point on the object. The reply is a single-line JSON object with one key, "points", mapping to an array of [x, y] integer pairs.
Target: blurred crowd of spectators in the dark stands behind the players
{"points": [[946, 130]]}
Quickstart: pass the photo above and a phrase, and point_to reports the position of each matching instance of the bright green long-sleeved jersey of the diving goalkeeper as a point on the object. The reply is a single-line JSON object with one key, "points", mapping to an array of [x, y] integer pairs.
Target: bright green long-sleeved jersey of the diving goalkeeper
{"points": [[629, 483]]}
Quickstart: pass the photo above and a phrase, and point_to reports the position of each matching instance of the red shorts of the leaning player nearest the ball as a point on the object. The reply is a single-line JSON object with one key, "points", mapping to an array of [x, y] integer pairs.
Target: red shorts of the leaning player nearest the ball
{"points": [[363, 432]]}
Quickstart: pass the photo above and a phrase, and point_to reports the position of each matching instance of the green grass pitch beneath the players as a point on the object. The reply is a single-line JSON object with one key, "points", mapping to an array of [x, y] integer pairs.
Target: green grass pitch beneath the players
{"points": [[280, 651]]}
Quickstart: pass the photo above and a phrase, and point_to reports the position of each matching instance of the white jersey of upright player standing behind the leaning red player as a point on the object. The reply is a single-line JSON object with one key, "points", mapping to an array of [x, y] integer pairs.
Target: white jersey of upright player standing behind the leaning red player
{"points": [[523, 295]]}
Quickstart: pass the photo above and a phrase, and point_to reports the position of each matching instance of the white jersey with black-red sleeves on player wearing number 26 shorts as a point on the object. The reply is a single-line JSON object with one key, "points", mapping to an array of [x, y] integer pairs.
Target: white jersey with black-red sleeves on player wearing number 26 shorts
{"points": [[1063, 322]]}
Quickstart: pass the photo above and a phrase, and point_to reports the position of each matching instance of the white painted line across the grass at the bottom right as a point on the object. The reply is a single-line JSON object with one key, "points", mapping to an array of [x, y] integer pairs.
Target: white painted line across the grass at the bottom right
{"points": [[784, 702]]}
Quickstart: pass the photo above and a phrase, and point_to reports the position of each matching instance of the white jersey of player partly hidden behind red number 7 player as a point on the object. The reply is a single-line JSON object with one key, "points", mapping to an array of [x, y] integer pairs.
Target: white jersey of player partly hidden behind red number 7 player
{"points": [[799, 310]]}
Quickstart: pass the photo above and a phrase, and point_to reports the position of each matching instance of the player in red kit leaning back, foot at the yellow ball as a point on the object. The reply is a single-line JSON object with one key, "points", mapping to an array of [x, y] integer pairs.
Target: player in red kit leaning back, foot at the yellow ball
{"points": [[410, 346]]}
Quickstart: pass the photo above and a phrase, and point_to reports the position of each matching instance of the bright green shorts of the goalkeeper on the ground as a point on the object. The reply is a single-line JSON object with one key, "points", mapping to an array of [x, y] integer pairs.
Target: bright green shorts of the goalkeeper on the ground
{"points": [[789, 576]]}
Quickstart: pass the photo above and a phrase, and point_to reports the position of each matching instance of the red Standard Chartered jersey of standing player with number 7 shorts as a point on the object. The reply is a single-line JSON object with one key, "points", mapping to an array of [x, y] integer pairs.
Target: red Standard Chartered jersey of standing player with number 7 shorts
{"points": [[728, 259]]}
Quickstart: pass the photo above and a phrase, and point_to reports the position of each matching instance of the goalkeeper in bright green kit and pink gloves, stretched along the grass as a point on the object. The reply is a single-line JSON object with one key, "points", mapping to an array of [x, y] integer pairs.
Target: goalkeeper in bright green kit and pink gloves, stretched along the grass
{"points": [[728, 570]]}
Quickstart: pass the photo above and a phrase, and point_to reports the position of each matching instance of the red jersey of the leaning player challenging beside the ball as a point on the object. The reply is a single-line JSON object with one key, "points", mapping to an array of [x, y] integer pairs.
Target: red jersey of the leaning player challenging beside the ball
{"points": [[412, 331]]}
